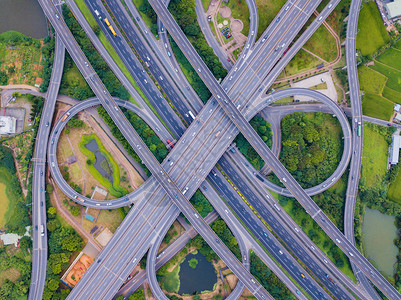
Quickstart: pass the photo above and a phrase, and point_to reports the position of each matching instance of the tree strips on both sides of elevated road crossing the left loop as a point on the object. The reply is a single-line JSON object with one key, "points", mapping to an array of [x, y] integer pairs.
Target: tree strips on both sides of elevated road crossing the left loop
{"points": [[155, 145]]}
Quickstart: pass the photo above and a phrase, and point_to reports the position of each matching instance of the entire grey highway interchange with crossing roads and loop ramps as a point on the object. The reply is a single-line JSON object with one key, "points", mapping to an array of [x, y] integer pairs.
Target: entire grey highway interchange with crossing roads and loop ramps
{"points": [[201, 144]]}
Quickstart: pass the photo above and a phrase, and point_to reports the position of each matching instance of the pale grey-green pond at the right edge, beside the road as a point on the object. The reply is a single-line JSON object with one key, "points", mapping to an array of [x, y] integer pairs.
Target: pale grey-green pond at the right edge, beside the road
{"points": [[379, 232]]}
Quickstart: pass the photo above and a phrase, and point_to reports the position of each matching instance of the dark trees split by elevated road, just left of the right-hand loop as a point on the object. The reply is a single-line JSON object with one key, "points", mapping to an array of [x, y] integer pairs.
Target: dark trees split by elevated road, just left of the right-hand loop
{"points": [[263, 129]]}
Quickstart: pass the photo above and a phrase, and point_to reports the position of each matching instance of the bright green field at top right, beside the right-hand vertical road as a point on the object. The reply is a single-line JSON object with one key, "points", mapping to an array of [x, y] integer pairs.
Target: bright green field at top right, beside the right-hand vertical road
{"points": [[372, 34]]}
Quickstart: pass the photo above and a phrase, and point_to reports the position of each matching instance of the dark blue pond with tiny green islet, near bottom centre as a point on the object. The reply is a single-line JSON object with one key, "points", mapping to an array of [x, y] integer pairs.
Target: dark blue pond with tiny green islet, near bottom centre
{"points": [[202, 278]]}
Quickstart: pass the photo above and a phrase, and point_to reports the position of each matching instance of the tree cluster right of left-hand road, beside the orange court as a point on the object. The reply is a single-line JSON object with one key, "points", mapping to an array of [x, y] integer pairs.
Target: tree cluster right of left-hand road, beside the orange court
{"points": [[63, 242]]}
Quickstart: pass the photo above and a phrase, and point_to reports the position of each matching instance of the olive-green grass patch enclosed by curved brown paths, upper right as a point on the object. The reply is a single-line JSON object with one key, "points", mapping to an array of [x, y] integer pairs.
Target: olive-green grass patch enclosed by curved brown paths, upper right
{"points": [[323, 44]]}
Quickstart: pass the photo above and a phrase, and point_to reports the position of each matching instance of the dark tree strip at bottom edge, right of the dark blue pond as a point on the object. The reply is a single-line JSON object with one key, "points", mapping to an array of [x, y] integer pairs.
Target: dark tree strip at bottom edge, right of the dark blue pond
{"points": [[269, 280]]}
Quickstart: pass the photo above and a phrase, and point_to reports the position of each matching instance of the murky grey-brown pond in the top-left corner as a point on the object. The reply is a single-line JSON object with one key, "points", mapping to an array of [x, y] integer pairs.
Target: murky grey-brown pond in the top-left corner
{"points": [[25, 16]]}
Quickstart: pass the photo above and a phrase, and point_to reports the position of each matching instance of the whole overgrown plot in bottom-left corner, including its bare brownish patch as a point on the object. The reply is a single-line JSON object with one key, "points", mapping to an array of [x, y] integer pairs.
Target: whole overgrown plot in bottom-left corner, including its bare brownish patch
{"points": [[18, 262]]}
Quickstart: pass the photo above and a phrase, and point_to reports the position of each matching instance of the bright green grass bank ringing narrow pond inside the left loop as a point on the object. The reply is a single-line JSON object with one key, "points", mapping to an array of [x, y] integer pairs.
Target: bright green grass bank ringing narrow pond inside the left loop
{"points": [[114, 188]]}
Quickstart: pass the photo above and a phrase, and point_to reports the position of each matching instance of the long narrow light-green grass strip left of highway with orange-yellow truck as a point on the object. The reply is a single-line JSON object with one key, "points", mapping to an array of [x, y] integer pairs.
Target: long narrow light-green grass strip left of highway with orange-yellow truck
{"points": [[92, 22]]}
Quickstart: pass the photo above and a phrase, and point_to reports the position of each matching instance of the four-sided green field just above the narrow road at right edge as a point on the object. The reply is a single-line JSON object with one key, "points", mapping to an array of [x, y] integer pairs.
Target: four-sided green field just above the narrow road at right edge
{"points": [[376, 106]]}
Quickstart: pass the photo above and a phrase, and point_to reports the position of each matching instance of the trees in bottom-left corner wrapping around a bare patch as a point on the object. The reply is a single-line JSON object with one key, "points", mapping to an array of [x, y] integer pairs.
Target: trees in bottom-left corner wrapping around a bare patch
{"points": [[14, 290]]}
